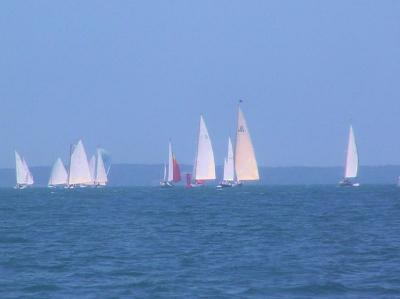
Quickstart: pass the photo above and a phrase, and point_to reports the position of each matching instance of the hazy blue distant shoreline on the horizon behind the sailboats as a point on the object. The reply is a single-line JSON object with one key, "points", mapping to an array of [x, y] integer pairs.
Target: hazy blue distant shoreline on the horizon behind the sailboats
{"points": [[150, 175]]}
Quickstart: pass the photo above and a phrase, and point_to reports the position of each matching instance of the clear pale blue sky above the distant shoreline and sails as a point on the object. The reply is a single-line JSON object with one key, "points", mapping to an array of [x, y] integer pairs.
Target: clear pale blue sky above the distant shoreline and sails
{"points": [[129, 75]]}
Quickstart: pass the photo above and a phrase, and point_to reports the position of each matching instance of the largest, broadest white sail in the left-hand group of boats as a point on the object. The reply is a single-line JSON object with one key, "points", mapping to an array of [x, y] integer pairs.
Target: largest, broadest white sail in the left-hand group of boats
{"points": [[79, 171]]}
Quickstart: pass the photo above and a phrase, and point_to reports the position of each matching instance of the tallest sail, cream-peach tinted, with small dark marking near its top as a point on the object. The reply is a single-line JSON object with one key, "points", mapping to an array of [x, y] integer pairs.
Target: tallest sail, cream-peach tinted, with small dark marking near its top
{"points": [[245, 159]]}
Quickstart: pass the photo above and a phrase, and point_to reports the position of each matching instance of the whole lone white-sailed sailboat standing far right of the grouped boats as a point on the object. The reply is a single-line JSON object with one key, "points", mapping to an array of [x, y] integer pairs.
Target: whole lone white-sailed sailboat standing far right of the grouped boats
{"points": [[351, 165]]}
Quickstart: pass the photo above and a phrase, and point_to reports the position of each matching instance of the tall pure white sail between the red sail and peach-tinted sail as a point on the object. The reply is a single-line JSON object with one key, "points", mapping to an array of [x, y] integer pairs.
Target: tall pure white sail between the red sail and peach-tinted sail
{"points": [[204, 168]]}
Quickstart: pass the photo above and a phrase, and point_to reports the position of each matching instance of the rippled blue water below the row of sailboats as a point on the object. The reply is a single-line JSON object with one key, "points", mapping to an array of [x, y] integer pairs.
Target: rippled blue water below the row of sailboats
{"points": [[250, 242]]}
